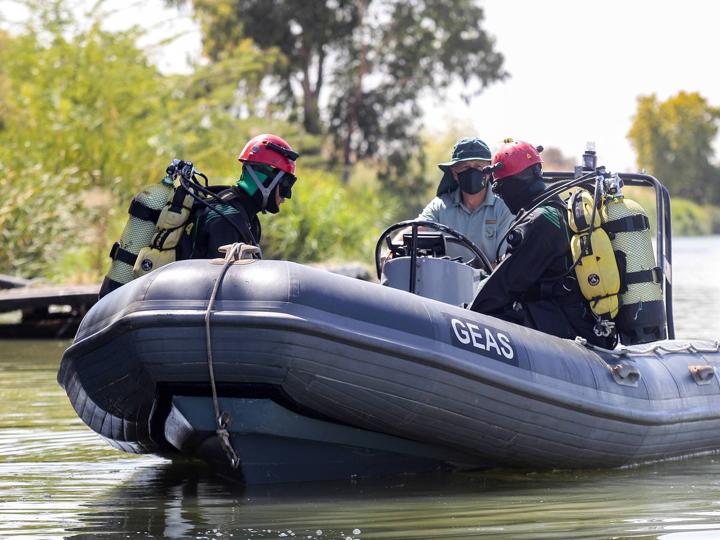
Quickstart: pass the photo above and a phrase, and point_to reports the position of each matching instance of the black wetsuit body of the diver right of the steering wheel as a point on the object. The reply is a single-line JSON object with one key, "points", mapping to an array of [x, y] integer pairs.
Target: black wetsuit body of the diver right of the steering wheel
{"points": [[532, 286]]}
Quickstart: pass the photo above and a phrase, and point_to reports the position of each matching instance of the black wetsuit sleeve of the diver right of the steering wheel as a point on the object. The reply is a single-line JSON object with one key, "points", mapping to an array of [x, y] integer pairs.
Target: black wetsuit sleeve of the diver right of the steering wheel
{"points": [[544, 239]]}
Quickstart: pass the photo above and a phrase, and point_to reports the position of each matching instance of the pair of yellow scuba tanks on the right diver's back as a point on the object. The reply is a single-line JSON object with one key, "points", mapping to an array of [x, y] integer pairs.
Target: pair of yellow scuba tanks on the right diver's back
{"points": [[615, 266]]}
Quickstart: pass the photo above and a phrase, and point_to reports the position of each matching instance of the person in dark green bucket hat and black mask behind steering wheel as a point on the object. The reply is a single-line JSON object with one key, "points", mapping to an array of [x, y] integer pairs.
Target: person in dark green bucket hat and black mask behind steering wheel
{"points": [[464, 203]]}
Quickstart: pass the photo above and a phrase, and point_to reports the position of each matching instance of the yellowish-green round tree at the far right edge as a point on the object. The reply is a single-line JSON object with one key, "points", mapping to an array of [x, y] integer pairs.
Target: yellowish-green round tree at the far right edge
{"points": [[673, 140]]}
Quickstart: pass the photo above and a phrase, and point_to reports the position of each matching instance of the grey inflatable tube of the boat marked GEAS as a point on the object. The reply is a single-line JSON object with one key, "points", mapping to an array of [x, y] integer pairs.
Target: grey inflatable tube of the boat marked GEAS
{"points": [[387, 362]]}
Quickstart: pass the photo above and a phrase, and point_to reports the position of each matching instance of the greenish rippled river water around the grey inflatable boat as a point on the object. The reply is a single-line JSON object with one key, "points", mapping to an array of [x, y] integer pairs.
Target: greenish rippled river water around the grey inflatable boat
{"points": [[59, 480]]}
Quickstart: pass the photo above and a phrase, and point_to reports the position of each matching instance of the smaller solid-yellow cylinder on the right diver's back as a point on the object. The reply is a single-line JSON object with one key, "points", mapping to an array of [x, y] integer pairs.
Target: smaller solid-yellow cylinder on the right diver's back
{"points": [[596, 268]]}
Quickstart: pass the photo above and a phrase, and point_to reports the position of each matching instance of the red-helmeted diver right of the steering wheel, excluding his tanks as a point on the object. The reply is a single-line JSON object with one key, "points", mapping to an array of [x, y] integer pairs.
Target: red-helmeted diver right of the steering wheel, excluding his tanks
{"points": [[534, 285]]}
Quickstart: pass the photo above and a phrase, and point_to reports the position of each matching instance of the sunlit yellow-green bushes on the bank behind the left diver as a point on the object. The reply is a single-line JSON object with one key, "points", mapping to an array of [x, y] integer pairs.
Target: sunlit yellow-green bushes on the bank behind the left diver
{"points": [[86, 121]]}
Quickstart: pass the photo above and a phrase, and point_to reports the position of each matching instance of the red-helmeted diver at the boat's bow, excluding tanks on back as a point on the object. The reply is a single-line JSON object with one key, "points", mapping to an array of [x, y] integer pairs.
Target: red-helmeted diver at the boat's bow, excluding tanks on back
{"points": [[266, 181]]}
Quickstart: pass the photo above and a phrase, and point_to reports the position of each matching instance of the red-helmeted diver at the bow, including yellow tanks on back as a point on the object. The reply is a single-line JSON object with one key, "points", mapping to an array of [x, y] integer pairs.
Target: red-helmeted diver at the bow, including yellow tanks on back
{"points": [[179, 218]]}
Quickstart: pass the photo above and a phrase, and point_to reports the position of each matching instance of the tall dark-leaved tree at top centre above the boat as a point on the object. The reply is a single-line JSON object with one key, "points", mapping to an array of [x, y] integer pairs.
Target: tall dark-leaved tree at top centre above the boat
{"points": [[357, 68]]}
